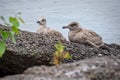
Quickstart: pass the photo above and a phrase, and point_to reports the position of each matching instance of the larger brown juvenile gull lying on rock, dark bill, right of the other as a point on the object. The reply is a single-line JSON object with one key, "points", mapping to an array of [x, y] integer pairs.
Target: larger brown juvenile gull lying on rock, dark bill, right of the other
{"points": [[81, 35]]}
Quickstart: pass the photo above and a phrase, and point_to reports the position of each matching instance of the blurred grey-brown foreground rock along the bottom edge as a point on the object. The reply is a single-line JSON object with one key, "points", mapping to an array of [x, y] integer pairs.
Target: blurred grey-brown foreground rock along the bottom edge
{"points": [[97, 68]]}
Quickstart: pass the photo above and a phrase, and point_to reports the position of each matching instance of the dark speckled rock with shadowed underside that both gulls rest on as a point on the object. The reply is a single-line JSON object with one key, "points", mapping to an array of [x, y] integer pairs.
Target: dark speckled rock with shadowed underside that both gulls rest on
{"points": [[34, 49]]}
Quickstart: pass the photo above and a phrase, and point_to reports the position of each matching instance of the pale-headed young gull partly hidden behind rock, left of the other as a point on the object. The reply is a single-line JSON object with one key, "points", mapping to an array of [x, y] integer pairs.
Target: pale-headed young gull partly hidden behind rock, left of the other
{"points": [[44, 30]]}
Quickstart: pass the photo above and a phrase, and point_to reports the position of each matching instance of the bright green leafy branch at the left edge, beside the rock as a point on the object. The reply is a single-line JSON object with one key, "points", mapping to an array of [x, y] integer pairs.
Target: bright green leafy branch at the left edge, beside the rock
{"points": [[14, 23]]}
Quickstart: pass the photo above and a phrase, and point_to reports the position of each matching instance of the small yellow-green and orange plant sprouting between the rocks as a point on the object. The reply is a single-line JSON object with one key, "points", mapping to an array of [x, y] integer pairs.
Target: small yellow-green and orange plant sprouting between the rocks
{"points": [[60, 54]]}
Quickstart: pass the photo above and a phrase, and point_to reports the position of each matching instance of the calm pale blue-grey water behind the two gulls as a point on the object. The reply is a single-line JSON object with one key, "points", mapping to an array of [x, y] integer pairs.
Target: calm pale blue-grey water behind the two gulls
{"points": [[102, 16]]}
